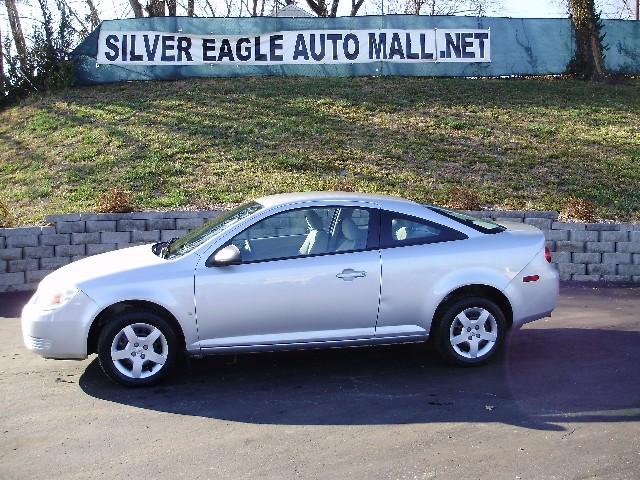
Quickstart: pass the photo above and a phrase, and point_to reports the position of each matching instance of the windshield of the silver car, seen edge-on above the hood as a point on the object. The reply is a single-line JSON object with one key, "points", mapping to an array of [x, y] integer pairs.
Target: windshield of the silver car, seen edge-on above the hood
{"points": [[193, 239]]}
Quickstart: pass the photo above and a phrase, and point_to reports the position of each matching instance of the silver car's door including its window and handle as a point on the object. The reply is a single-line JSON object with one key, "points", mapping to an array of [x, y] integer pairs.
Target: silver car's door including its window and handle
{"points": [[300, 280]]}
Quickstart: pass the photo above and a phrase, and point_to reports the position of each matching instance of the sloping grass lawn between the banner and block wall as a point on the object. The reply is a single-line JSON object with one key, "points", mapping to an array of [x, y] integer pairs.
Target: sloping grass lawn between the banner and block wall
{"points": [[518, 143]]}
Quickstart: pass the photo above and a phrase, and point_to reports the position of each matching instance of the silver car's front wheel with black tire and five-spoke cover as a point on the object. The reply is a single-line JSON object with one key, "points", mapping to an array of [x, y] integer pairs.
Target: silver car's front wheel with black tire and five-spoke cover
{"points": [[142, 322]]}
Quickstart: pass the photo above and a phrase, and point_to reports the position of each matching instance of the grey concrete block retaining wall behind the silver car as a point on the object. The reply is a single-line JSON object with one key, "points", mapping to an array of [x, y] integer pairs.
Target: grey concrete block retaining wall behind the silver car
{"points": [[581, 251]]}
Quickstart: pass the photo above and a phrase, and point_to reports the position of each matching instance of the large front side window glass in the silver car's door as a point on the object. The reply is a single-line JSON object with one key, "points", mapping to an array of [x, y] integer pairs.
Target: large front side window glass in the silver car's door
{"points": [[305, 232]]}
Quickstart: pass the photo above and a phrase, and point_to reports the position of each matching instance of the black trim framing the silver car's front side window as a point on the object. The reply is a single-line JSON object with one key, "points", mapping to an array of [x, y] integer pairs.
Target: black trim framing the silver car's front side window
{"points": [[373, 234]]}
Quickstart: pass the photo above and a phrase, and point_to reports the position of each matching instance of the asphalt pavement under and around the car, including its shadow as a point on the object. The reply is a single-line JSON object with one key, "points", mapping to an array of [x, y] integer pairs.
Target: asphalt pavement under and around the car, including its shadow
{"points": [[562, 402]]}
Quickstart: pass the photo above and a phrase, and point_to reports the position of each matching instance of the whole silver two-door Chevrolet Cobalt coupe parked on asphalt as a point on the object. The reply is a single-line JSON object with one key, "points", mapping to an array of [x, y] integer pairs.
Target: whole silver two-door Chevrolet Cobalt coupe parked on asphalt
{"points": [[295, 271]]}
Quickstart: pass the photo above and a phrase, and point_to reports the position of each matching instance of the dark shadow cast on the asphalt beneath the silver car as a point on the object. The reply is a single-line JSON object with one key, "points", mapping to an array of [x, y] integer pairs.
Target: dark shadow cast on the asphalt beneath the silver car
{"points": [[545, 376]]}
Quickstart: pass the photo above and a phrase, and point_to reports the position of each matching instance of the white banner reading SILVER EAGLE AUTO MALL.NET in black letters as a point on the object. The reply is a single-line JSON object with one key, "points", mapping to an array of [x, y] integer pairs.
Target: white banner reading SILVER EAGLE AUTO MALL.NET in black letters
{"points": [[295, 47]]}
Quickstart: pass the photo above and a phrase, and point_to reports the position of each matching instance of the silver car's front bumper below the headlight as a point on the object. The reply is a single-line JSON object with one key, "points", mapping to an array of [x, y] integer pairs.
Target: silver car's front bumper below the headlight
{"points": [[60, 333]]}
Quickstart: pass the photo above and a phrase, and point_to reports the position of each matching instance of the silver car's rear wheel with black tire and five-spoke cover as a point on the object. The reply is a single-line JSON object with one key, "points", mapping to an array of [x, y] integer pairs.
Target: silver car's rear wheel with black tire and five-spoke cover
{"points": [[448, 324]]}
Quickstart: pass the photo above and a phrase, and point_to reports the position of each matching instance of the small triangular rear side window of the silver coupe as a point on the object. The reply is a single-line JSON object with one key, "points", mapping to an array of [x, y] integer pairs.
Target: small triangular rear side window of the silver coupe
{"points": [[399, 230]]}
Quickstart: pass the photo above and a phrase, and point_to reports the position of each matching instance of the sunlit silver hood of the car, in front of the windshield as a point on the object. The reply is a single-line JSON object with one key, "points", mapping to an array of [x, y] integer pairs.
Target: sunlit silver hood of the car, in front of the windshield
{"points": [[103, 265]]}
